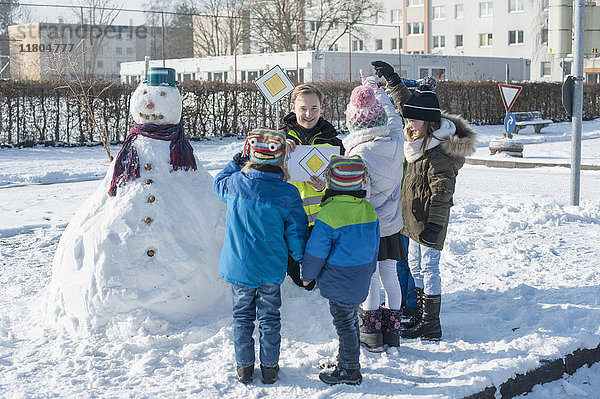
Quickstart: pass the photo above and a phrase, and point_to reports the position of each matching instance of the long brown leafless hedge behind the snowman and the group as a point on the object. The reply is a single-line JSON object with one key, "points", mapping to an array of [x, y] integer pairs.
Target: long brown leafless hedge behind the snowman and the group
{"points": [[51, 112]]}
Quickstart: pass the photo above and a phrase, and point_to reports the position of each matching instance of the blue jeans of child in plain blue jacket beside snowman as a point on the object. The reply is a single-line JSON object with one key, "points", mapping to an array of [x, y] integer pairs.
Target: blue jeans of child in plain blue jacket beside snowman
{"points": [[247, 303]]}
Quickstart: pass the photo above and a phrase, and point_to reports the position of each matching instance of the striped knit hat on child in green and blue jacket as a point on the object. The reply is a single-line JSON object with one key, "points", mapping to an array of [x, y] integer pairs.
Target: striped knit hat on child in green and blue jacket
{"points": [[346, 173]]}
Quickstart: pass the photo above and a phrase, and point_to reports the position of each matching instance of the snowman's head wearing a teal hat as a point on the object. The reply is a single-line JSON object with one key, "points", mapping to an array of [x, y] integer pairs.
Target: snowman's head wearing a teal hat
{"points": [[157, 100]]}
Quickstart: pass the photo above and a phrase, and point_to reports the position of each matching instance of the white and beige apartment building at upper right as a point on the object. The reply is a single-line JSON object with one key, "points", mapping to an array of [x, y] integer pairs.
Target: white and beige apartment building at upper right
{"points": [[491, 28]]}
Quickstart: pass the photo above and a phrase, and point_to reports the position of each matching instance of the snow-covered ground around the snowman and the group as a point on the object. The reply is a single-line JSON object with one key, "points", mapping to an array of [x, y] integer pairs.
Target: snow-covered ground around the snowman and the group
{"points": [[520, 274]]}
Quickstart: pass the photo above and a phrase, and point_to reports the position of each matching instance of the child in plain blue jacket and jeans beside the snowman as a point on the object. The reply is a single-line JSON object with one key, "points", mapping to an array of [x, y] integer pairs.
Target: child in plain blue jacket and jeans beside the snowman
{"points": [[265, 222]]}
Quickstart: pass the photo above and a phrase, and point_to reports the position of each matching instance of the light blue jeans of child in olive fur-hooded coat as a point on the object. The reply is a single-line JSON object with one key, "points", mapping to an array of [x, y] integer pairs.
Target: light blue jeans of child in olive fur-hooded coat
{"points": [[424, 263]]}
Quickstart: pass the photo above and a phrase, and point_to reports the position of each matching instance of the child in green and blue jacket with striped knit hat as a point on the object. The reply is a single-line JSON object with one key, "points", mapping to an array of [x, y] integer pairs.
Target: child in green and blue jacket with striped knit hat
{"points": [[341, 254]]}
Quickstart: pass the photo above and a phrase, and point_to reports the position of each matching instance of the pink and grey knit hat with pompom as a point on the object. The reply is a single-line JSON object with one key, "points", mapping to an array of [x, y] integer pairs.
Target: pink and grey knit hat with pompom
{"points": [[364, 110]]}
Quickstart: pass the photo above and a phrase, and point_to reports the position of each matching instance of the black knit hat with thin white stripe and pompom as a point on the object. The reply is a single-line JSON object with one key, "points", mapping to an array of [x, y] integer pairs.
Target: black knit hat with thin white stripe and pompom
{"points": [[423, 103]]}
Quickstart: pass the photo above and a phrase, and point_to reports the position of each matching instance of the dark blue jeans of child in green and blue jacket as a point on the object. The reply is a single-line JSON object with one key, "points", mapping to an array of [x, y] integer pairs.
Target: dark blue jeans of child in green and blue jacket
{"points": [[345, 321]]}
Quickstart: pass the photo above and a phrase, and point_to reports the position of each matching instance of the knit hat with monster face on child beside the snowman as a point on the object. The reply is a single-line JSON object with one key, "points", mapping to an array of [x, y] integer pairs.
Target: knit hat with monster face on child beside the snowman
{"points": [[265, 146]]}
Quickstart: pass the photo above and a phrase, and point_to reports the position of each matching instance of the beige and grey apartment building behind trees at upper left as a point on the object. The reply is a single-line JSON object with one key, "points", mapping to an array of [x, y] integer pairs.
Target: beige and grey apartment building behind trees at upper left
{"points": [[41, 51]]}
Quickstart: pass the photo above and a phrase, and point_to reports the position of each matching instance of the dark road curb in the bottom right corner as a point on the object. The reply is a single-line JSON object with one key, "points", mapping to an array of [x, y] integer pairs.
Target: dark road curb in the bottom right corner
{"points": [[548, 371]]}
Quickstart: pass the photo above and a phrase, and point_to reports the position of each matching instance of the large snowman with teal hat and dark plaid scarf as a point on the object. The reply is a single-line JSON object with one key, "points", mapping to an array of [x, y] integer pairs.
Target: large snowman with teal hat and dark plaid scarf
{"points": [[147, 243]]}
